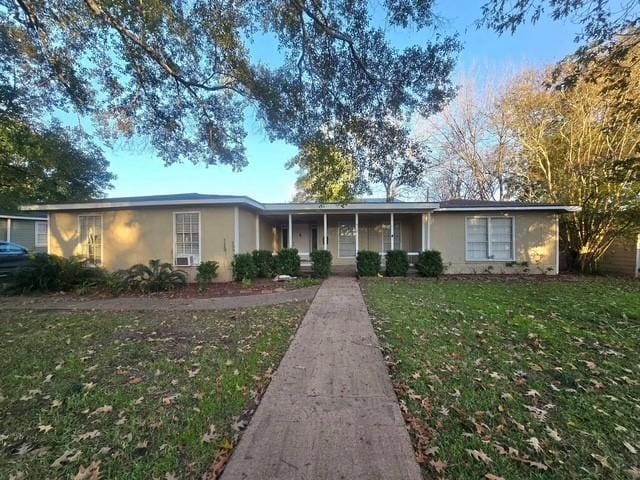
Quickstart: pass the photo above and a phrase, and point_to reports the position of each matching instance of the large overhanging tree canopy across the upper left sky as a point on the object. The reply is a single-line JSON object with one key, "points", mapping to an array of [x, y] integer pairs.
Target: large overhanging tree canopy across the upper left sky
{"points": [[182, 74]]}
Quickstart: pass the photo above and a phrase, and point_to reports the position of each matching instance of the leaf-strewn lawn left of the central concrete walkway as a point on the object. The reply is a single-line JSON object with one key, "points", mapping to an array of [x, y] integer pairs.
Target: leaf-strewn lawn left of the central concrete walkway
{"points": [[136, 392]]}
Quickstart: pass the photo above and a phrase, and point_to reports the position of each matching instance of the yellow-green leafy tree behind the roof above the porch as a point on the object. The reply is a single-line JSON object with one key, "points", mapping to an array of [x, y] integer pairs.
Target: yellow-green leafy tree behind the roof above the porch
{"points": [[326, 173]]}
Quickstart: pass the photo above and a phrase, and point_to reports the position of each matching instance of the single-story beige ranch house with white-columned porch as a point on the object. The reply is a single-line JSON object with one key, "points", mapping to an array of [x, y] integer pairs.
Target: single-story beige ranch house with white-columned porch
{"points": [[185, 229]]}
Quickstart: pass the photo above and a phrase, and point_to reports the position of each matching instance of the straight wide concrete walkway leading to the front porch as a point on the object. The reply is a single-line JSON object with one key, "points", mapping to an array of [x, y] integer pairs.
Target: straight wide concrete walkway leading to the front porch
{"points": [[330, 411]]}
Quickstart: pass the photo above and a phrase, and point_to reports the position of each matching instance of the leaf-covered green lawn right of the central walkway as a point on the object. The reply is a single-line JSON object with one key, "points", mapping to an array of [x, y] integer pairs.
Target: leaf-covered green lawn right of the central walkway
{"points": [[542, 377]]}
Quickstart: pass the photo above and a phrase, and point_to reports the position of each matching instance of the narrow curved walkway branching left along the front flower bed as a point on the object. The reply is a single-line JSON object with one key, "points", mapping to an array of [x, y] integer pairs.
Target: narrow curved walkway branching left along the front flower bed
{"points": [[157, 304]]}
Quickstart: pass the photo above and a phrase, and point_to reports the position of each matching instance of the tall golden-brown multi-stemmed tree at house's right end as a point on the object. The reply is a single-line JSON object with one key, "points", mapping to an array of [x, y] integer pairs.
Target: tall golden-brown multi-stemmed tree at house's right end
{"points": [[576, 147]]}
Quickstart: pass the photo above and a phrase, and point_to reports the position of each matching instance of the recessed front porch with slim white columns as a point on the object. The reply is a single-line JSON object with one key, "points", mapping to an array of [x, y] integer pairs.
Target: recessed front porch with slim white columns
{"points": [[344, 234]]}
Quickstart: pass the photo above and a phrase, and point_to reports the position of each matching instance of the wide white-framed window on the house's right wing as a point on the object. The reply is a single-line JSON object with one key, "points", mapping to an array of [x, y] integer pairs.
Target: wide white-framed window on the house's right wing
{"points": [[489, 238]]}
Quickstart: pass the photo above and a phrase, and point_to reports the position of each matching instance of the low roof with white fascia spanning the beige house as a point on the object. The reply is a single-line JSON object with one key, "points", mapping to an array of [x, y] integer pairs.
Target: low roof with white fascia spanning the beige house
{"points": [[186, 199]]}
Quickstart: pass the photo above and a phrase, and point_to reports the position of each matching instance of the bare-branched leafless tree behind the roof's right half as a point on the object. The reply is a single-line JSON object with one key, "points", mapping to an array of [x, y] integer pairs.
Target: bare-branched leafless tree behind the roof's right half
{"points": [[471, 145]]}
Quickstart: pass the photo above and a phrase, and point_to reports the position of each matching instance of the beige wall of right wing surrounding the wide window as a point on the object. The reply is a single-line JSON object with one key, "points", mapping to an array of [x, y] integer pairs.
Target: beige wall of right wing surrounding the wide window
{"points": [[535, 243]]}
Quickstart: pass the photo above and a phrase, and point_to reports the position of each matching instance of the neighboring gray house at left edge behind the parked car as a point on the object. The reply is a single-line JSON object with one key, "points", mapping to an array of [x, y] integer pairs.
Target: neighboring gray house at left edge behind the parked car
{"points": [[27, 229]]}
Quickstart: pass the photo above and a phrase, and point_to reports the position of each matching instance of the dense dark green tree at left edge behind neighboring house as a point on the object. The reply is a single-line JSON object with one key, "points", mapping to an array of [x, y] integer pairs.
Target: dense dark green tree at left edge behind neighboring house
{"points": [[48, 165]]}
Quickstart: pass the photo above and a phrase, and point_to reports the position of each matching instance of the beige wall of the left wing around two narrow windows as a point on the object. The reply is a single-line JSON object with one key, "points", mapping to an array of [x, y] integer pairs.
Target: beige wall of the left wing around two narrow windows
{"points": [[137, 235]]}
